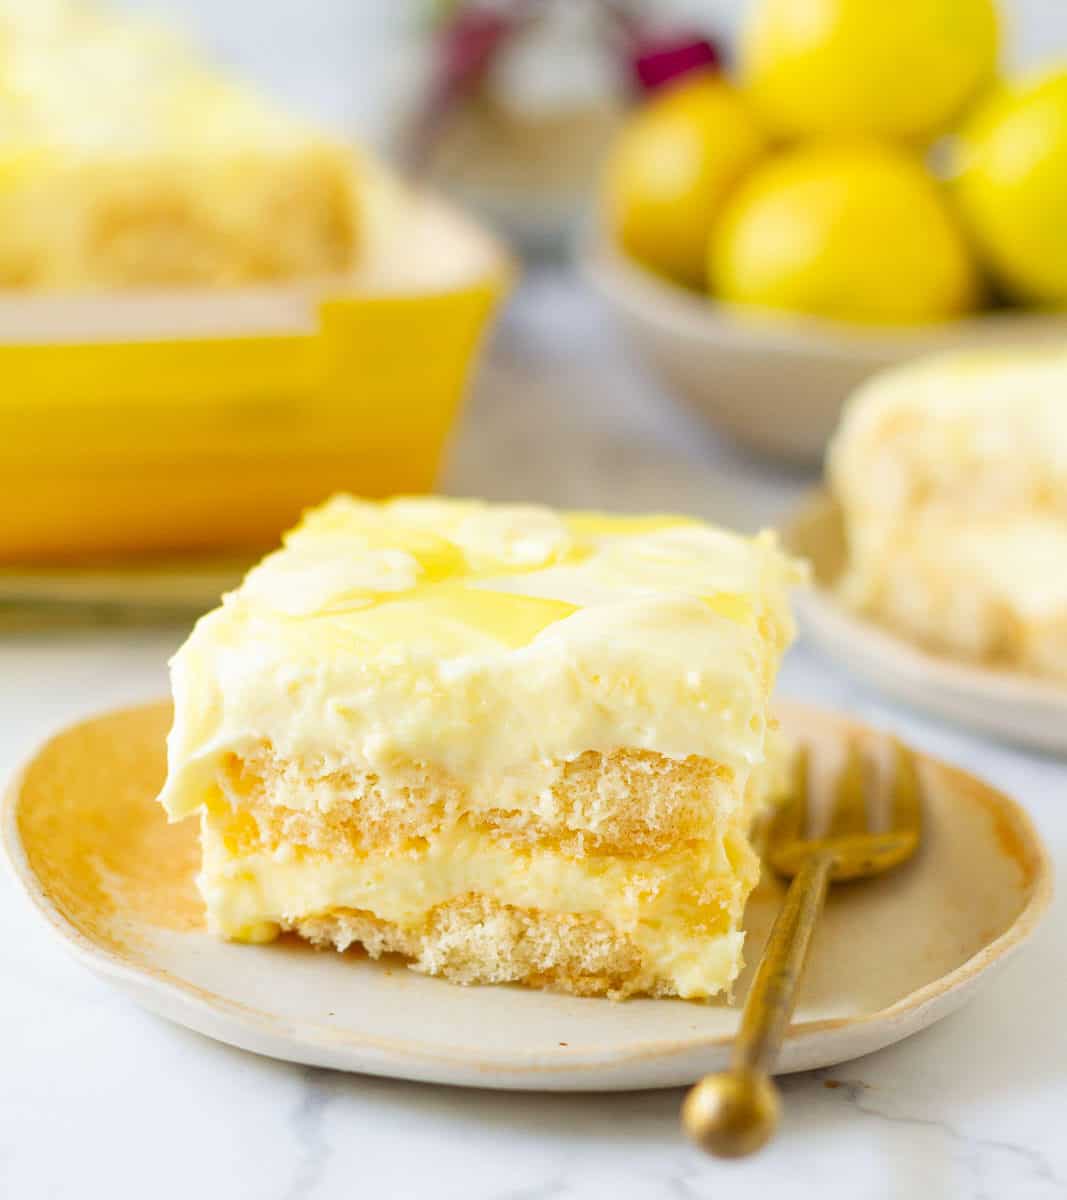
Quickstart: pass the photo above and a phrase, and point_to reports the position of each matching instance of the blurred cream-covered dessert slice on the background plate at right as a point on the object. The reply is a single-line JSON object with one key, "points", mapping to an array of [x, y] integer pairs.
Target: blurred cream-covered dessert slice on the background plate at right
{"points": [[952, 479]]}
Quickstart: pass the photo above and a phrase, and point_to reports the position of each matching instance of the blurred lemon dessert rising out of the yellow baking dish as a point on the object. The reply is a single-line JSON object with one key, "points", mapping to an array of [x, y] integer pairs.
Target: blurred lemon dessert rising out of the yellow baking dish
{"points": [[127, 159]]}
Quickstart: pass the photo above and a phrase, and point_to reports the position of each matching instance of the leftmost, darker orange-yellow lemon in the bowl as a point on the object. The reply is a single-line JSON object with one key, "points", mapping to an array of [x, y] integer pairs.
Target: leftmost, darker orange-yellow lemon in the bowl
{"points": [[670, 171]]}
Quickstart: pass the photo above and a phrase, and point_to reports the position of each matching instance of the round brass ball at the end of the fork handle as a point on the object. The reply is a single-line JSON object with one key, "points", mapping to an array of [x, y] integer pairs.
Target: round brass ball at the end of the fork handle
{"points": [[733, 1114]]}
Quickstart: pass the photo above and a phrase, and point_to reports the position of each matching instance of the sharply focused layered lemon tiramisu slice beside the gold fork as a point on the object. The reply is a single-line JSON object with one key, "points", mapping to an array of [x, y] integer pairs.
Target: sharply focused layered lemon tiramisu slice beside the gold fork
{"points": [[511, 745]]}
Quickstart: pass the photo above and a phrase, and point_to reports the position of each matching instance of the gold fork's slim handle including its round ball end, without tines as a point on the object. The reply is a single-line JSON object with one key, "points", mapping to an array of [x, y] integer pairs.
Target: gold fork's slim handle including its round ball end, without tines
{"points": [[735, 1113]]}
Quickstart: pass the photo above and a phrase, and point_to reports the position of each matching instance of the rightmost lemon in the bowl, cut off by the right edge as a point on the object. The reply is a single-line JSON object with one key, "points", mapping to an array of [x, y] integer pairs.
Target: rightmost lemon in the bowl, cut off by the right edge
{"points": [[1014, 188]]}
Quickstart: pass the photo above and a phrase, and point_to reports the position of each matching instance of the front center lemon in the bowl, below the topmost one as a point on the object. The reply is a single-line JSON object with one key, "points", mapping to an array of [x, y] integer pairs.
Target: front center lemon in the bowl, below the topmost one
{"points": [[850, 231]]}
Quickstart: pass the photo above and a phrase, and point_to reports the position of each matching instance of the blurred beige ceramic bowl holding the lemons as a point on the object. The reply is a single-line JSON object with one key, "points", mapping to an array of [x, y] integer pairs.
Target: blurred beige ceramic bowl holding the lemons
{"points": [[775, 383]]}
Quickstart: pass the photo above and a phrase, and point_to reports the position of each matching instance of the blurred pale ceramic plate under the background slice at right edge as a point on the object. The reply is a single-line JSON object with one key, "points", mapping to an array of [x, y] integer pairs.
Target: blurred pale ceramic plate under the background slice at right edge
{"points": [[1022, 709]]}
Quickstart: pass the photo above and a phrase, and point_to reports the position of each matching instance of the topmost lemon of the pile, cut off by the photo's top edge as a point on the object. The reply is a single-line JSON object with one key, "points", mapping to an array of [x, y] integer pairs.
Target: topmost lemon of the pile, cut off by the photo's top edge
{"points": [[897, 69]]}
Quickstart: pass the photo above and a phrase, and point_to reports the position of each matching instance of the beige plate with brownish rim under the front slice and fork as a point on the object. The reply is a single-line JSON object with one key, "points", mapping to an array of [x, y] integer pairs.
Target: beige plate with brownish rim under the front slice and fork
{"points": [[116, 884]]}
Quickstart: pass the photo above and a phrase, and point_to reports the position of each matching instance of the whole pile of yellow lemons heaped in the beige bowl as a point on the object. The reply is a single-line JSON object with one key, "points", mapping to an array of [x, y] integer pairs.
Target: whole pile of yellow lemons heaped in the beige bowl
{"points": [[806, 183]]}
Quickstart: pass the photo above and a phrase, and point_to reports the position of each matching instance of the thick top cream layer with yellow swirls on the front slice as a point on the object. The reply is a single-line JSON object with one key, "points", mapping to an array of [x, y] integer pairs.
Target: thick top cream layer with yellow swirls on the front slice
{"points": [[491, 643]]}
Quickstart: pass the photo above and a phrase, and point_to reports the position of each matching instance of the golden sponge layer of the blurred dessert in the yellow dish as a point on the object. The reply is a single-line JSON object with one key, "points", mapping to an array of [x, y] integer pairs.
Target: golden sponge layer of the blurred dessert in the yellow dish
{"points": [[181, 220]]}
